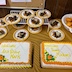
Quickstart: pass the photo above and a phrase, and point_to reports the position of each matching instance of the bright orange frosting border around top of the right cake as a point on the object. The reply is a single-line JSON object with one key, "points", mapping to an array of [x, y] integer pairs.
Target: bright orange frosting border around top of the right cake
{"points": [[54, 62]]}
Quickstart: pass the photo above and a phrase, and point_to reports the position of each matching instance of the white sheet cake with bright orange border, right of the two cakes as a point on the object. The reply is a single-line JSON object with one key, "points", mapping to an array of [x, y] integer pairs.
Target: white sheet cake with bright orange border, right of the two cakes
{"points": [[56, 54]]}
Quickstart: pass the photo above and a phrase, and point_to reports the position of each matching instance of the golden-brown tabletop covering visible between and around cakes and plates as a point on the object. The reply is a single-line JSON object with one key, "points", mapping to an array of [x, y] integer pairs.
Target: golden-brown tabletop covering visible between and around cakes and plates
{"points": [[36, 39]]}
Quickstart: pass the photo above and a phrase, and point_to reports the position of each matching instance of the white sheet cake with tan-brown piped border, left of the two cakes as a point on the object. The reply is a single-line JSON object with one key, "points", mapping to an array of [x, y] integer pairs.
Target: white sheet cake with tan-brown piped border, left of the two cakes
{"points": [[15, 55]]}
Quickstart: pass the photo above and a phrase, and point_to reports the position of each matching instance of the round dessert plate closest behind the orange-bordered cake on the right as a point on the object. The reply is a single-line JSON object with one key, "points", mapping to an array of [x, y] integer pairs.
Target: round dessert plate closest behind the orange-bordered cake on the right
{"points": [[56, 34]]}
